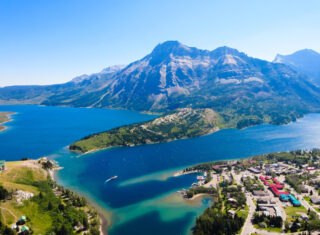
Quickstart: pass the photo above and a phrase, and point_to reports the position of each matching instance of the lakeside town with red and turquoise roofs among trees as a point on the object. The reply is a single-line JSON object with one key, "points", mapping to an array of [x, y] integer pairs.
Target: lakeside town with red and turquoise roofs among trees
{"points": [[280, 191]]}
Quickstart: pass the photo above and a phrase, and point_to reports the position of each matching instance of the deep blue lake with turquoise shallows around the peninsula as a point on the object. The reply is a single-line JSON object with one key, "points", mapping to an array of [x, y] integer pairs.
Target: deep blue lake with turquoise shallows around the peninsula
{"points": [[143, 200]]}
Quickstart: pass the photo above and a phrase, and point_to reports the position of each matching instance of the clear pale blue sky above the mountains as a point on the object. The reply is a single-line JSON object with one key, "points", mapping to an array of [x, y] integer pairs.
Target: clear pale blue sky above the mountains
{"points": [[46, 42]]}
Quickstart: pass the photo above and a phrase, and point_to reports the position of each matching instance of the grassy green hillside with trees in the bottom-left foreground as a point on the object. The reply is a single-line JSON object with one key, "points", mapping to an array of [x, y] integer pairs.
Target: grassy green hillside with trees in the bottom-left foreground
{"points": [[51, 209]]}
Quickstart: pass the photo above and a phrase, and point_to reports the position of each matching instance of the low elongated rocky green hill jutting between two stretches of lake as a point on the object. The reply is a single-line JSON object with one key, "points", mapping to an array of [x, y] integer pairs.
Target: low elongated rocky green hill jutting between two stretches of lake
{"points": [[184, 123]]}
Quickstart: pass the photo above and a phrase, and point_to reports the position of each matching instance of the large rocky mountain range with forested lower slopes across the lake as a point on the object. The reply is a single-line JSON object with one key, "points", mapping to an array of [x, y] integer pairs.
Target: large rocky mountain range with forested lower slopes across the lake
{"points": [[242, 89]]}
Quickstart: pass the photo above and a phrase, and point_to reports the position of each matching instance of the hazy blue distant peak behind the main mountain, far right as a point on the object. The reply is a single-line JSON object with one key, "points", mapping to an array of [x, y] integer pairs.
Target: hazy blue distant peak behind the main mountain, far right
{"points": [[304, 61]]}
